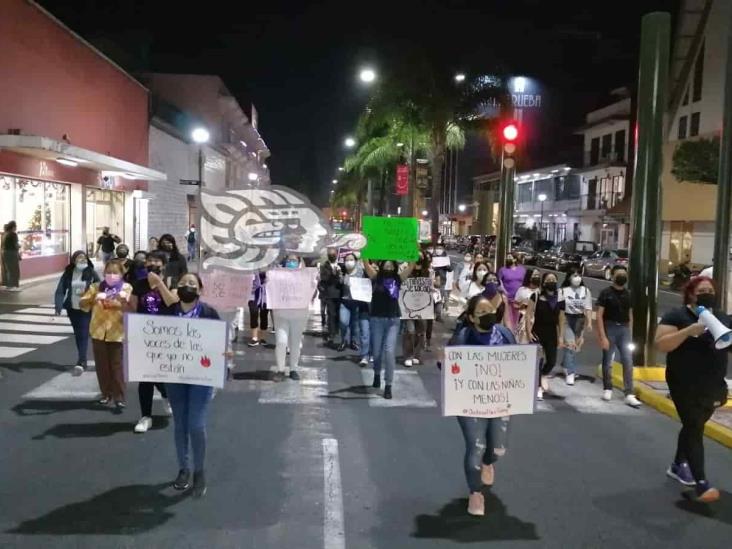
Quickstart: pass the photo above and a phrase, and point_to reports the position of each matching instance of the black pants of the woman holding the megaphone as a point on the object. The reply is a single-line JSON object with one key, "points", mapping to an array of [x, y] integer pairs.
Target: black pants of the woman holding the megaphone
{"points": [[694, 411]]}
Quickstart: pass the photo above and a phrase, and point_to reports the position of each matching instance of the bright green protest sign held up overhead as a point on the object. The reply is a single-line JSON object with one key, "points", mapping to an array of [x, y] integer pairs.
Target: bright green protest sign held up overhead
{"points": [[390, 238]]}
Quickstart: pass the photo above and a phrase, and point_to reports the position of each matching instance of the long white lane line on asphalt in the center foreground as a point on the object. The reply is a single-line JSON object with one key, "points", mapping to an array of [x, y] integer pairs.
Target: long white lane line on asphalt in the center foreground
{"points": [[334, 530]]}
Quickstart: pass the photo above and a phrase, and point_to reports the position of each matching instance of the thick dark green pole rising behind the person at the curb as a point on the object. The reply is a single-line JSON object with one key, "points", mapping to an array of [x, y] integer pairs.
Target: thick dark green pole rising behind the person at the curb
{"points": [[645, 245]]}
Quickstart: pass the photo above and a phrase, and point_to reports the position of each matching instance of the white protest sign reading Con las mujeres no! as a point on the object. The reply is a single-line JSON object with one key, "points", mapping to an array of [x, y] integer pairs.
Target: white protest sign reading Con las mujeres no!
{"points": [[489, 381]]}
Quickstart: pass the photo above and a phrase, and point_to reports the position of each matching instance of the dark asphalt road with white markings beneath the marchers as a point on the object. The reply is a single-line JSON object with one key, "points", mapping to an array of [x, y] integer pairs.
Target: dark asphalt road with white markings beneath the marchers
{"points": [[328, 464]]}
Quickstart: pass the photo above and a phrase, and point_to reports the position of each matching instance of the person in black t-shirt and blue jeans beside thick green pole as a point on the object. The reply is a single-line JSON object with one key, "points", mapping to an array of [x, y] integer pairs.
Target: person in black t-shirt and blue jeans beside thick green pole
{"points": [[614, 331]]}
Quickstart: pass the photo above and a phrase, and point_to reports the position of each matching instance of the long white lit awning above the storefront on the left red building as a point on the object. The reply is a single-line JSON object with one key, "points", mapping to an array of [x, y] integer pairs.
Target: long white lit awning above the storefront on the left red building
{"points": [[46, 148]]}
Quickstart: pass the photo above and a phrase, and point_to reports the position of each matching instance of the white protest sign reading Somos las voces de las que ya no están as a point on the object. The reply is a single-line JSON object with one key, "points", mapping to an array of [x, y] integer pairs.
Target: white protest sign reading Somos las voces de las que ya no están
{"points": [[172, 349]]}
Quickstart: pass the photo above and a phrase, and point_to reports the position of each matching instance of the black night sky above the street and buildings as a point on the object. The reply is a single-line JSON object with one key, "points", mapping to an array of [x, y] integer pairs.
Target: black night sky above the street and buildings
{"points": [[298, 61]]}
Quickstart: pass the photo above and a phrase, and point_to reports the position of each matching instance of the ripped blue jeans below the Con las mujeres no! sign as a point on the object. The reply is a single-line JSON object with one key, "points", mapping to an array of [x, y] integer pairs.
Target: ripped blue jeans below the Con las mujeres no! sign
{"points": [[485, 442]]}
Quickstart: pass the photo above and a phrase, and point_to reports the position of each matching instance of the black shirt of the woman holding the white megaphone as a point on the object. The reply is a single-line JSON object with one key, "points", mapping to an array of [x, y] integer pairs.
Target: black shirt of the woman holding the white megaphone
{"points": [[696, 359]]}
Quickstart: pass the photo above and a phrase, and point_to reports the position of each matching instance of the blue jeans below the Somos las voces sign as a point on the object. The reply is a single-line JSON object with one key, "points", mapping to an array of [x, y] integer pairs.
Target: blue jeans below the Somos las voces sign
{"points": [[190, 405]]}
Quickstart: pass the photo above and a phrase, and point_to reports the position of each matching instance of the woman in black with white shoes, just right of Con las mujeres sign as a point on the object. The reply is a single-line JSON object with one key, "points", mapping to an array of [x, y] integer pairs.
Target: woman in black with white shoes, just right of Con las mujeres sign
{"points": [[542, 323]]}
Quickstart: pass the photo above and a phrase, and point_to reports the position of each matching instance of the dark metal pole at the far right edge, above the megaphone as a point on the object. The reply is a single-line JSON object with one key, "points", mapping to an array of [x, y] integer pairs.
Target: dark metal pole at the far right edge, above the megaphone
{"points": [[724, 189]]}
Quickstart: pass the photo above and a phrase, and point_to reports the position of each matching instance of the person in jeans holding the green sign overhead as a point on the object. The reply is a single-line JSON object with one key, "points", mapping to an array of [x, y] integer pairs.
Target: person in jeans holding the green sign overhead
{"points": [[385, 318]]}
